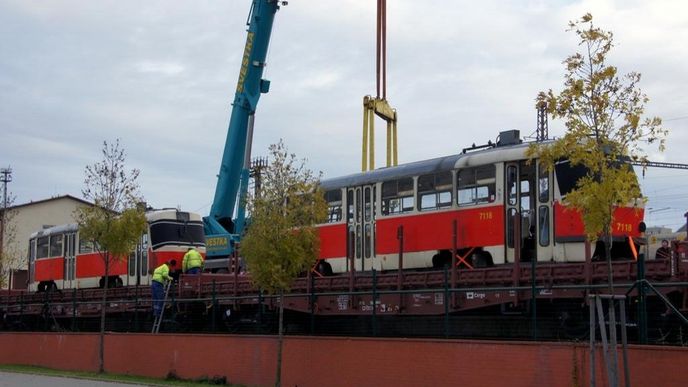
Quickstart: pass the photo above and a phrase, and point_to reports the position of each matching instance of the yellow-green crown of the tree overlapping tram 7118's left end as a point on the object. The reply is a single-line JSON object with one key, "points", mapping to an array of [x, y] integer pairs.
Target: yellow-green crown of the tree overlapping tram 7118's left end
{"points": [[281, 241]]}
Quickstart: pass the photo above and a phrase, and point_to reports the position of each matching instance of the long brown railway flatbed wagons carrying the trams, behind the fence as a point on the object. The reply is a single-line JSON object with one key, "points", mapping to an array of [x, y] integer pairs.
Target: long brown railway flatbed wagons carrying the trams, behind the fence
{"points": [[492, 298]]}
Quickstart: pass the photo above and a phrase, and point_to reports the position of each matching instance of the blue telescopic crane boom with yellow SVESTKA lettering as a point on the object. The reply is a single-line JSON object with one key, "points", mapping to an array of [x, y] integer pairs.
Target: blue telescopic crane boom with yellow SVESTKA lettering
{"points": [[222, 231]]}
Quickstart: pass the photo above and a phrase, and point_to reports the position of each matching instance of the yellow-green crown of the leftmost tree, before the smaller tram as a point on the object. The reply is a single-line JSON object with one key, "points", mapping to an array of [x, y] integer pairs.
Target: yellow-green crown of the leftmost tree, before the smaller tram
{"points": [[115, 223]]}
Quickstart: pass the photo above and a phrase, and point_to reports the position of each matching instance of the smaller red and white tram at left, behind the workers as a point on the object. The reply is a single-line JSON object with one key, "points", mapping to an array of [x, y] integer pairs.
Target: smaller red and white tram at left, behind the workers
{"points": [[60, 259]]}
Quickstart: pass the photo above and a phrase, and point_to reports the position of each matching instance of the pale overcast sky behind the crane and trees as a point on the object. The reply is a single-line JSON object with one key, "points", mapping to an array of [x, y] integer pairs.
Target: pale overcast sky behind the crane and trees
{"points": [[160, 76]]}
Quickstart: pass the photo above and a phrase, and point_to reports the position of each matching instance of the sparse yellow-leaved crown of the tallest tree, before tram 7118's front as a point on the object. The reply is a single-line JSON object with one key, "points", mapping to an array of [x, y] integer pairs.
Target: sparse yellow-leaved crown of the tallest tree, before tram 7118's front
{"points": [[603, 113]]}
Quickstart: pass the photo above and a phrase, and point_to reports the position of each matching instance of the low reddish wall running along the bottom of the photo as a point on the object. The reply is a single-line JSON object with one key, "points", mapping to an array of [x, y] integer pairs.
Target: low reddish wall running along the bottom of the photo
{"points": [[317, 361]]}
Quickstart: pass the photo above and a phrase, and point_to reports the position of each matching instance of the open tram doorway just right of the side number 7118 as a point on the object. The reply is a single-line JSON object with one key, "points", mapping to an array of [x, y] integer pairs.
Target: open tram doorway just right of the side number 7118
{"points": [[520, 203]]}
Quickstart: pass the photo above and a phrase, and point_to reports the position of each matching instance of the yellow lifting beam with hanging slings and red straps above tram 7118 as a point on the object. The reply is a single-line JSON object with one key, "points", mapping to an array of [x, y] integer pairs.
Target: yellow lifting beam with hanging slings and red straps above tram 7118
{"points": [[379, 105]]}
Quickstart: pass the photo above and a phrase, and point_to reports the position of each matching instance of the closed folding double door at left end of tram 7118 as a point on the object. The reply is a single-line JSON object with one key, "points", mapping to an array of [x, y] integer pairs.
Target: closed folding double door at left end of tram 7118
{"points": [[362, 227]]}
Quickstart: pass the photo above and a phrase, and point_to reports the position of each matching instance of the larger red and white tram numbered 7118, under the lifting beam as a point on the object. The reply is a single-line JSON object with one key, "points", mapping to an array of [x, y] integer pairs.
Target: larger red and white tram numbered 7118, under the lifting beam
{"points": [[488, 204]]}
